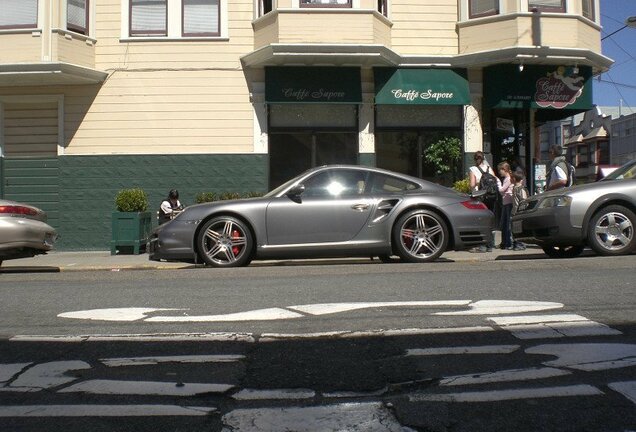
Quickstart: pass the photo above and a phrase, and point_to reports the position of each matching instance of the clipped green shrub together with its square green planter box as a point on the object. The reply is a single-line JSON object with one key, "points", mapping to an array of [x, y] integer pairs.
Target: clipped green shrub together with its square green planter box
{"points": [[131, 223]]}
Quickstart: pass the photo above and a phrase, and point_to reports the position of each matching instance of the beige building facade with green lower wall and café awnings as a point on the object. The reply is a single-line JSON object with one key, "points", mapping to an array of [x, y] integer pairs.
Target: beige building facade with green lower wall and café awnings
{"points": [[239, 95]]}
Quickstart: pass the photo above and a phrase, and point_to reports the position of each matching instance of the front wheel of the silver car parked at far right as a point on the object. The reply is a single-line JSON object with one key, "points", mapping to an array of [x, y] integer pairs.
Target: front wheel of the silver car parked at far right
{"points": [[611, 231]]}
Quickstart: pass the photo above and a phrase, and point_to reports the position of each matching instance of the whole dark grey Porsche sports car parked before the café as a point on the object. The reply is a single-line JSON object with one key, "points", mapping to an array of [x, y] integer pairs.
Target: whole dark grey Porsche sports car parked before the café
{"points": [[331, 211]]}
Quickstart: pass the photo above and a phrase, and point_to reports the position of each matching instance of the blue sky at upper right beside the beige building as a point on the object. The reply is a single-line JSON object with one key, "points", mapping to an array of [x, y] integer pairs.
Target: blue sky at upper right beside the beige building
{"points": [[619, 83]]}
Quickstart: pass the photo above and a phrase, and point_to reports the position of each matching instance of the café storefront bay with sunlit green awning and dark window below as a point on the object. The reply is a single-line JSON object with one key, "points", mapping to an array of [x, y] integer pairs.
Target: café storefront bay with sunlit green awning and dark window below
{"points": [[415, 110]]}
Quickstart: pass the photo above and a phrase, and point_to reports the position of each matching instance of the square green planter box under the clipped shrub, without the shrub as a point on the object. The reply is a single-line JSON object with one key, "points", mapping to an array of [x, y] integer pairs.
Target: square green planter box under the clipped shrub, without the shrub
{"points": [[130, 231]]}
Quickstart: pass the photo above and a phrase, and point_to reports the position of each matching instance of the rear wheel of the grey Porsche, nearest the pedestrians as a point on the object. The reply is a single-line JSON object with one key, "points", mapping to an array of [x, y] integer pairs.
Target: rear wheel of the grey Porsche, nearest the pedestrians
{"points": [[420, 236]]}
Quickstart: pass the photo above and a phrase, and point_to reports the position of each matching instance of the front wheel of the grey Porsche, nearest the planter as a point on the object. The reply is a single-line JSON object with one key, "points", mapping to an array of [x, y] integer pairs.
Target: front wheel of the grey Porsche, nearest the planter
{"points": [[225, 241]]}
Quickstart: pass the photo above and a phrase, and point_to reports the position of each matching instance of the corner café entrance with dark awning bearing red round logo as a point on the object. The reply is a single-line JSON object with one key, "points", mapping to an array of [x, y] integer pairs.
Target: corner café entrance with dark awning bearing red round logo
{"points": [[518, 100]]}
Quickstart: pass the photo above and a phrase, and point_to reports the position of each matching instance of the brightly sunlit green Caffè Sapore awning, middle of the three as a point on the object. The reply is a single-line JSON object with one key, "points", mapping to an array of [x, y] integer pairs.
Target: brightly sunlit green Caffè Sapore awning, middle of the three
{"points": [[421, 86]]}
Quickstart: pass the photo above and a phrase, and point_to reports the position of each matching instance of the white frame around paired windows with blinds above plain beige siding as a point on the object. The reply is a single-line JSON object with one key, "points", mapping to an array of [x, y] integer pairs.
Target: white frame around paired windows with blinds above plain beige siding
{"points": [[174, 24]]}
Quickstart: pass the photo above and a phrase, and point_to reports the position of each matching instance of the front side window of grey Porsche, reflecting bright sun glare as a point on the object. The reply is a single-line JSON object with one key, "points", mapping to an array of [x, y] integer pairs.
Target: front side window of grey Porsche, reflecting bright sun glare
{"points": [[336, 183]]}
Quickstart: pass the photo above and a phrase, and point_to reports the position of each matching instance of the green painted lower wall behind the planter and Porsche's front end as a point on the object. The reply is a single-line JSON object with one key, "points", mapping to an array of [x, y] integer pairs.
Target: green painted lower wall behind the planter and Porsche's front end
{"points": [[88, 185]]}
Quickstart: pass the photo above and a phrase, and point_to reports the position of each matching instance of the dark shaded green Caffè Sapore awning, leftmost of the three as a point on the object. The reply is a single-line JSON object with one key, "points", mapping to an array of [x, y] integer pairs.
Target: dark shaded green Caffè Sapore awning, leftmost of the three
{"points": [[297, 84]]}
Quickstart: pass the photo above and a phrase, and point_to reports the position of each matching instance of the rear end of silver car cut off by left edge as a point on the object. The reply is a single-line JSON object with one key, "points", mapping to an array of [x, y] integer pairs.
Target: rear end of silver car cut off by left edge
{"points": [[23, 231]]}
